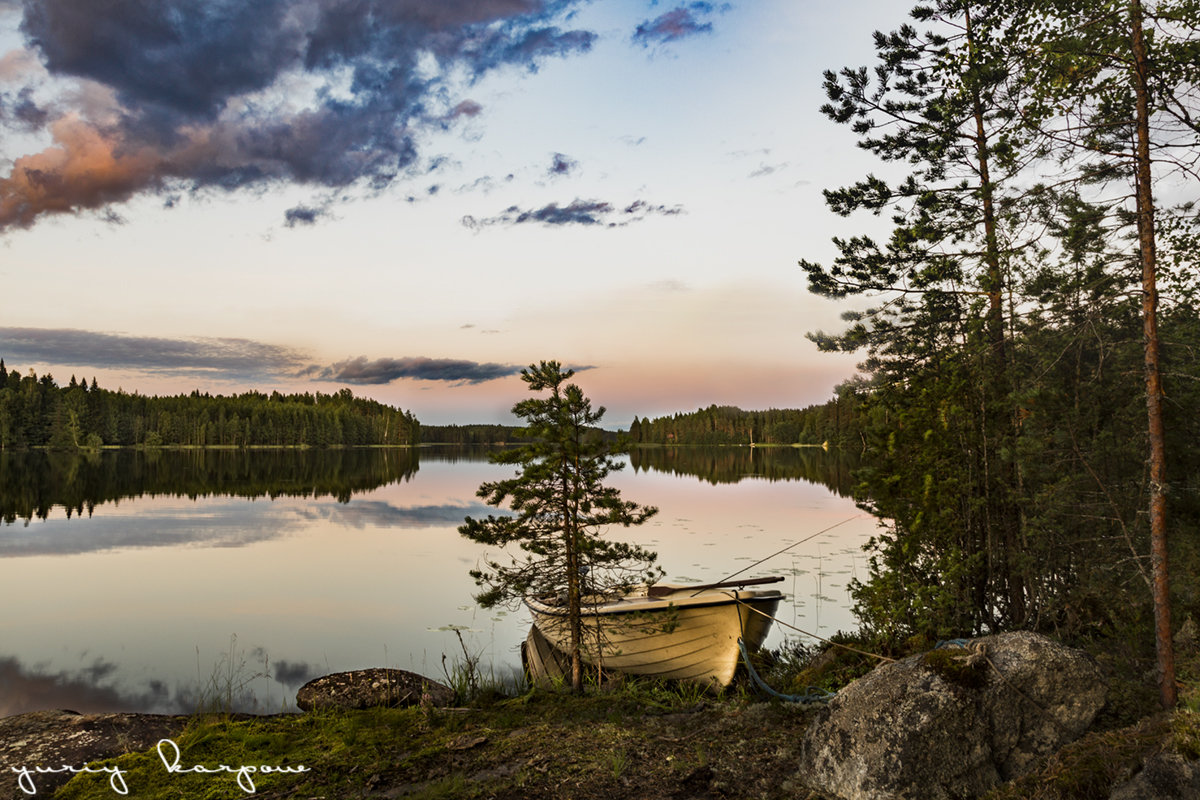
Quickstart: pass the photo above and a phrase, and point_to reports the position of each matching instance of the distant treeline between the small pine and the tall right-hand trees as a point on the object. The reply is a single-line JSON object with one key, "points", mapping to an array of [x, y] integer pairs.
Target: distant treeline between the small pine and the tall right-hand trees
{"points": [[835, 423]]}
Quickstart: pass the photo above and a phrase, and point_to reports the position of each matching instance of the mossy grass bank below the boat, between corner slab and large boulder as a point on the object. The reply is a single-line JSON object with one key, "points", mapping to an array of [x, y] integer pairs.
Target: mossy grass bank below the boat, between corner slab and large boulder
{"points": [[609, 745]]}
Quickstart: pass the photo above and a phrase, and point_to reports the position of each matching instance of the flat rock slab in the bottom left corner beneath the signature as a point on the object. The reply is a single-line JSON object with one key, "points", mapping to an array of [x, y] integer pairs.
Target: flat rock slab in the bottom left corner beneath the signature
{"points": [[53, 739]]}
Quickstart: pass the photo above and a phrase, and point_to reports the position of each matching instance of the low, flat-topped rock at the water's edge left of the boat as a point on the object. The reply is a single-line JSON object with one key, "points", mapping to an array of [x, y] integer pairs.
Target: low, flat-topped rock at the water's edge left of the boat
{"points": [[363, 689]]}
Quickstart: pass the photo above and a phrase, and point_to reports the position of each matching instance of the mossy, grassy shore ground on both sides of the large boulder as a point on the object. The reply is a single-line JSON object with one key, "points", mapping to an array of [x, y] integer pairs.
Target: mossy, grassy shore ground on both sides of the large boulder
{"points": [[627, 741]]}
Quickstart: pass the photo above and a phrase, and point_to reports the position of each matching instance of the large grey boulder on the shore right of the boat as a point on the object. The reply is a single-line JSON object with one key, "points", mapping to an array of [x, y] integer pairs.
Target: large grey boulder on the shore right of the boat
{"points": [[952, 724]]}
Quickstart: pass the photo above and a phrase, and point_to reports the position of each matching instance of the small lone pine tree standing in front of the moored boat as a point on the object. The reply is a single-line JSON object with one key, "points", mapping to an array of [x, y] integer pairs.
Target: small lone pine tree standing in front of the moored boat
{"points": [[561, 509]]}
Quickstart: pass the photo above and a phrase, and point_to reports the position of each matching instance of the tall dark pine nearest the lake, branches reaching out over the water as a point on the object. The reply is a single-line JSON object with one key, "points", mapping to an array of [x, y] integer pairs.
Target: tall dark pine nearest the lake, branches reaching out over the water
{"points": [[944, 101]]}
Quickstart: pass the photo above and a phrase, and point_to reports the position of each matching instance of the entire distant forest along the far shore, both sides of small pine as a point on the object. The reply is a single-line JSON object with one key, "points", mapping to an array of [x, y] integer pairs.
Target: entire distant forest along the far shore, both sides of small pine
{"points": [[37, 412]]}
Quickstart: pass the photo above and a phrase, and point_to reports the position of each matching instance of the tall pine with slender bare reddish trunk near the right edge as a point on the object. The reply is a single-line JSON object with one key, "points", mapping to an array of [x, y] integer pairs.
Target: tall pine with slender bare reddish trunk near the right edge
{"points": [[1118, 91]]}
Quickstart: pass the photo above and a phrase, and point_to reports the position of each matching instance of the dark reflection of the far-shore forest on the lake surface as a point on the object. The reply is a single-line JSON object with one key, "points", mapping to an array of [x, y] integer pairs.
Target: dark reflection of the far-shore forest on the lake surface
{"points": [[33, 484]]}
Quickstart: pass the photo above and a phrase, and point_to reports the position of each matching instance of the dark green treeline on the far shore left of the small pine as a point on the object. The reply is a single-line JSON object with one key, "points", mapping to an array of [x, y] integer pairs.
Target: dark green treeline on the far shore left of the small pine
{"points": [[38, 413]]}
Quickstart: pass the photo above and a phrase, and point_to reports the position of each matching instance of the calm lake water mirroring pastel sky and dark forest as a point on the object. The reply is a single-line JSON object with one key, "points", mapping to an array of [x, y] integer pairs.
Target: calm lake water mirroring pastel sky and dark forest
{"points": [[158, 582]]}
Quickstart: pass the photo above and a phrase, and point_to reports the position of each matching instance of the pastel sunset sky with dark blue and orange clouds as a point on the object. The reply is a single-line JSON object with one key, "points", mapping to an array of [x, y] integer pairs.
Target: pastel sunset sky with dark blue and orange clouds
{"points": [[416, 199]]}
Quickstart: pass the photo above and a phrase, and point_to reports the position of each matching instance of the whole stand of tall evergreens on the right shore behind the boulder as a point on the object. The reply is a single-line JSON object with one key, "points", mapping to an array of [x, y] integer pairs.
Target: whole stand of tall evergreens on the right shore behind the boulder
{"points": [[1024, 296]]}
